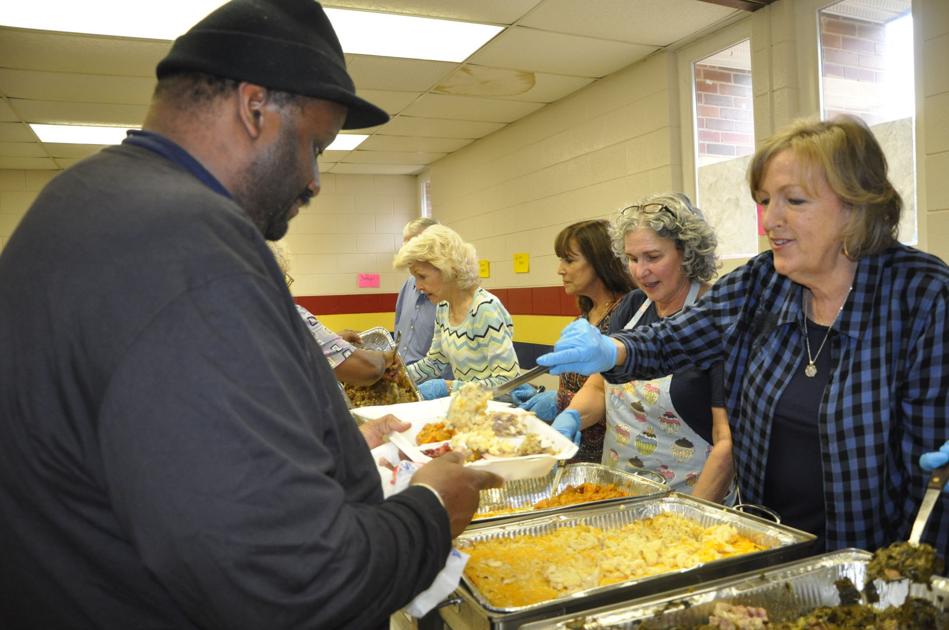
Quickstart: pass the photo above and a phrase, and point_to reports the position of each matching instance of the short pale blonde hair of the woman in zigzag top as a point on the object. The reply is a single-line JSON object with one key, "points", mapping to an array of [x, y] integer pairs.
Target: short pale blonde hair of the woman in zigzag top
{"points": [[442, 248]]}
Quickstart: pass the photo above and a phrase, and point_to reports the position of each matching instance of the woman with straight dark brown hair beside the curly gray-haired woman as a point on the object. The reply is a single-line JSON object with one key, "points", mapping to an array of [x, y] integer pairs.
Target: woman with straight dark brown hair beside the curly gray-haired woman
{"points": [[599, 280]]}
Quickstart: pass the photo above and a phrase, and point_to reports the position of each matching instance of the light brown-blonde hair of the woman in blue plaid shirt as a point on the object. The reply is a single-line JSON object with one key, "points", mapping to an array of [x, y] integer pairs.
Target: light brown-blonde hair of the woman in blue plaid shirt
{"points": [[845, 151]]}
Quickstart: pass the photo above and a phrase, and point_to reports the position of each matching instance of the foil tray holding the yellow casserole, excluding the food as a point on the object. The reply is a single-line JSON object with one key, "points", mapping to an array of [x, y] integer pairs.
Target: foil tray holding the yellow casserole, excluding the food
{"points": [[783, 544]]}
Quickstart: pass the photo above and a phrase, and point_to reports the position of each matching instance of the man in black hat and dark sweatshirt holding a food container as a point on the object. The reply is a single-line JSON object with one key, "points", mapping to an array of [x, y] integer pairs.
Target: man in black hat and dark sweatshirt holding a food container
{"points": [[174, 451]]}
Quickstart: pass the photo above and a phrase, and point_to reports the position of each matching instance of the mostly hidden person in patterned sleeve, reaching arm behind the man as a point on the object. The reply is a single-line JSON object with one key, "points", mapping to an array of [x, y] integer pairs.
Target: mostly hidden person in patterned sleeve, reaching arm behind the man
{"points": [[356, 366]]}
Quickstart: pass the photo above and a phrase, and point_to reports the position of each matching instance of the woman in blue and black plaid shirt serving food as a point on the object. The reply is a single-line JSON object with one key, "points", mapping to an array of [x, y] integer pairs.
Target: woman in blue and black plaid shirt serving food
{"points": [[836, 359]]}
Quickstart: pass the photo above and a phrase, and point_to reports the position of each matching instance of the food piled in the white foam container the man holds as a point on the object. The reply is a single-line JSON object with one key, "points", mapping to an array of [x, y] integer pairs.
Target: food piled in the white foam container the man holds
{"points": [[471, 428]]}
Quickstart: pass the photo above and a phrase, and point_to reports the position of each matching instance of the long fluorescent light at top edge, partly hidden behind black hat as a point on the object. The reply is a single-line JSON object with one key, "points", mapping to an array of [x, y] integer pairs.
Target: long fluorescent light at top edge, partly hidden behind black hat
{"points": [[360, 32]]}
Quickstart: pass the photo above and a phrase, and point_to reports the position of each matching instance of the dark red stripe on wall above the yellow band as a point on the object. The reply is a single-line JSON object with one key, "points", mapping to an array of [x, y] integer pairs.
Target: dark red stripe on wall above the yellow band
{"points": [[518, 301]]}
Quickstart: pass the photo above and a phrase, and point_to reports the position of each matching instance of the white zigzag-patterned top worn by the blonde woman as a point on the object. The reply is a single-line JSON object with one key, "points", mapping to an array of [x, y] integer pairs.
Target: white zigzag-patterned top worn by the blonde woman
{"points": [[480, 349]]}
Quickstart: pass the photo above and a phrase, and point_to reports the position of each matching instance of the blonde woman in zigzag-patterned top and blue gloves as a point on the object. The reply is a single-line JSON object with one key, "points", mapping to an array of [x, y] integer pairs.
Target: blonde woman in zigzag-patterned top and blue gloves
{"points": [[473, 331]]}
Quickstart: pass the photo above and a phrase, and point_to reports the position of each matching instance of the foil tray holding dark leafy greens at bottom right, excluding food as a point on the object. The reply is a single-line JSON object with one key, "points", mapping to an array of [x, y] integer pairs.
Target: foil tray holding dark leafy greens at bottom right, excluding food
{"points": [[787, 592]]}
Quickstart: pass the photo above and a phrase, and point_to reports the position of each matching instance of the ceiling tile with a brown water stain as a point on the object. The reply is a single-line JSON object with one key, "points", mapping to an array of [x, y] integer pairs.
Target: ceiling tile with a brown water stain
{"points": [[557, 53]]}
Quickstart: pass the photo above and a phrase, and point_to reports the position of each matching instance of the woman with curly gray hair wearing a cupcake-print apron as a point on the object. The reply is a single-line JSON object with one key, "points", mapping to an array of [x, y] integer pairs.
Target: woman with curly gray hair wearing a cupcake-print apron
{"points": [[674, 425]]}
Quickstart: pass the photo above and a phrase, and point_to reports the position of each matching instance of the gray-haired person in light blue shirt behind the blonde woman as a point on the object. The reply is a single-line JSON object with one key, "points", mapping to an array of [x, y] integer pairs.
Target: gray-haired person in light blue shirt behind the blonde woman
{"points": [[414, 312]]}
